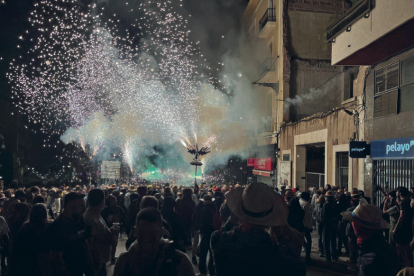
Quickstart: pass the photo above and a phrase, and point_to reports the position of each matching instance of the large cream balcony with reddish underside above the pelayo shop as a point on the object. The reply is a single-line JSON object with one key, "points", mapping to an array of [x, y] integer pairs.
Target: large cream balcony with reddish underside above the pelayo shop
{"points": [[371, 31]]}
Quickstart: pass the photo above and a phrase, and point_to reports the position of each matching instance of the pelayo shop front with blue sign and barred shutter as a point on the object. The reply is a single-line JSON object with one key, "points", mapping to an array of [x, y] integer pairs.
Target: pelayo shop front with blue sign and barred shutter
{"points": [[393, 164]]}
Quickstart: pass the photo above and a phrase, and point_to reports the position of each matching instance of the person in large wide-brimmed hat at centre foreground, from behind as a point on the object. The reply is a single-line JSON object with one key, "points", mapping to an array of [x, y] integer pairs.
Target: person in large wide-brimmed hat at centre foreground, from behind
{"points": [[248, 249]]}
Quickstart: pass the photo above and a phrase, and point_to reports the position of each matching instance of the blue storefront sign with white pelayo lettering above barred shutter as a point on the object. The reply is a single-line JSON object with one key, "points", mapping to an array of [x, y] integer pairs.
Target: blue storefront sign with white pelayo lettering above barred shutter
{"points": [[398, 148]]}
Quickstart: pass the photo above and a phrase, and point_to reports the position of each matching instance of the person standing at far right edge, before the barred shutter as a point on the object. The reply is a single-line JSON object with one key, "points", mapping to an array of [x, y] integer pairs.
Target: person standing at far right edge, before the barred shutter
{"points": [[403, 231]]}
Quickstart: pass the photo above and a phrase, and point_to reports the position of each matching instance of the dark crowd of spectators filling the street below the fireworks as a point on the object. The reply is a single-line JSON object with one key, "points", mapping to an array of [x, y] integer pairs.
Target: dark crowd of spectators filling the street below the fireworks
{"points": [[232, 230]]}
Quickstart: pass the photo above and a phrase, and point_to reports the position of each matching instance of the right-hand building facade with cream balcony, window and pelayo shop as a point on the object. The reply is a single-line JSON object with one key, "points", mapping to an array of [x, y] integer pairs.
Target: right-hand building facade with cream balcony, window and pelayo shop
{"points": [[377, 36]]}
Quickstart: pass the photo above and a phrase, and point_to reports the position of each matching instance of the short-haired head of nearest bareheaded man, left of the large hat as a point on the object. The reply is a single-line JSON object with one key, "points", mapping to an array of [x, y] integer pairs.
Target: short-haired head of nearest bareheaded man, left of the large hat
{"points": [[148, 228]]}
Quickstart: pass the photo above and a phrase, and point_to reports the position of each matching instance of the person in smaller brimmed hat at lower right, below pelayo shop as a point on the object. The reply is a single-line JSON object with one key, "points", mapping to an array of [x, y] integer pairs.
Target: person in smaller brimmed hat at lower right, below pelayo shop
{"points": [[376, 255]]}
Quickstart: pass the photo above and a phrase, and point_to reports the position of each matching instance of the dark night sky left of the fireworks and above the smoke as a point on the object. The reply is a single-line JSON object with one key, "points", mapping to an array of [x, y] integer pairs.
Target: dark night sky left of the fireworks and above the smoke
{"points": [[211, 20]]}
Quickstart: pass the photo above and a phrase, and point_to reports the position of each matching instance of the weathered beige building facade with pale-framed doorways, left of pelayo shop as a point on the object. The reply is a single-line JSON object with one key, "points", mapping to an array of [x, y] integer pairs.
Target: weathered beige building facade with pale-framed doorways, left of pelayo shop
{"points": [[312, 102]]}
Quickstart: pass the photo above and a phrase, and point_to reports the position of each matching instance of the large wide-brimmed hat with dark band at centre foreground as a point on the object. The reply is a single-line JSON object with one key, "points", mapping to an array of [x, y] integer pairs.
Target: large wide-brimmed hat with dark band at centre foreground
{"points": [[258, 204]]}
